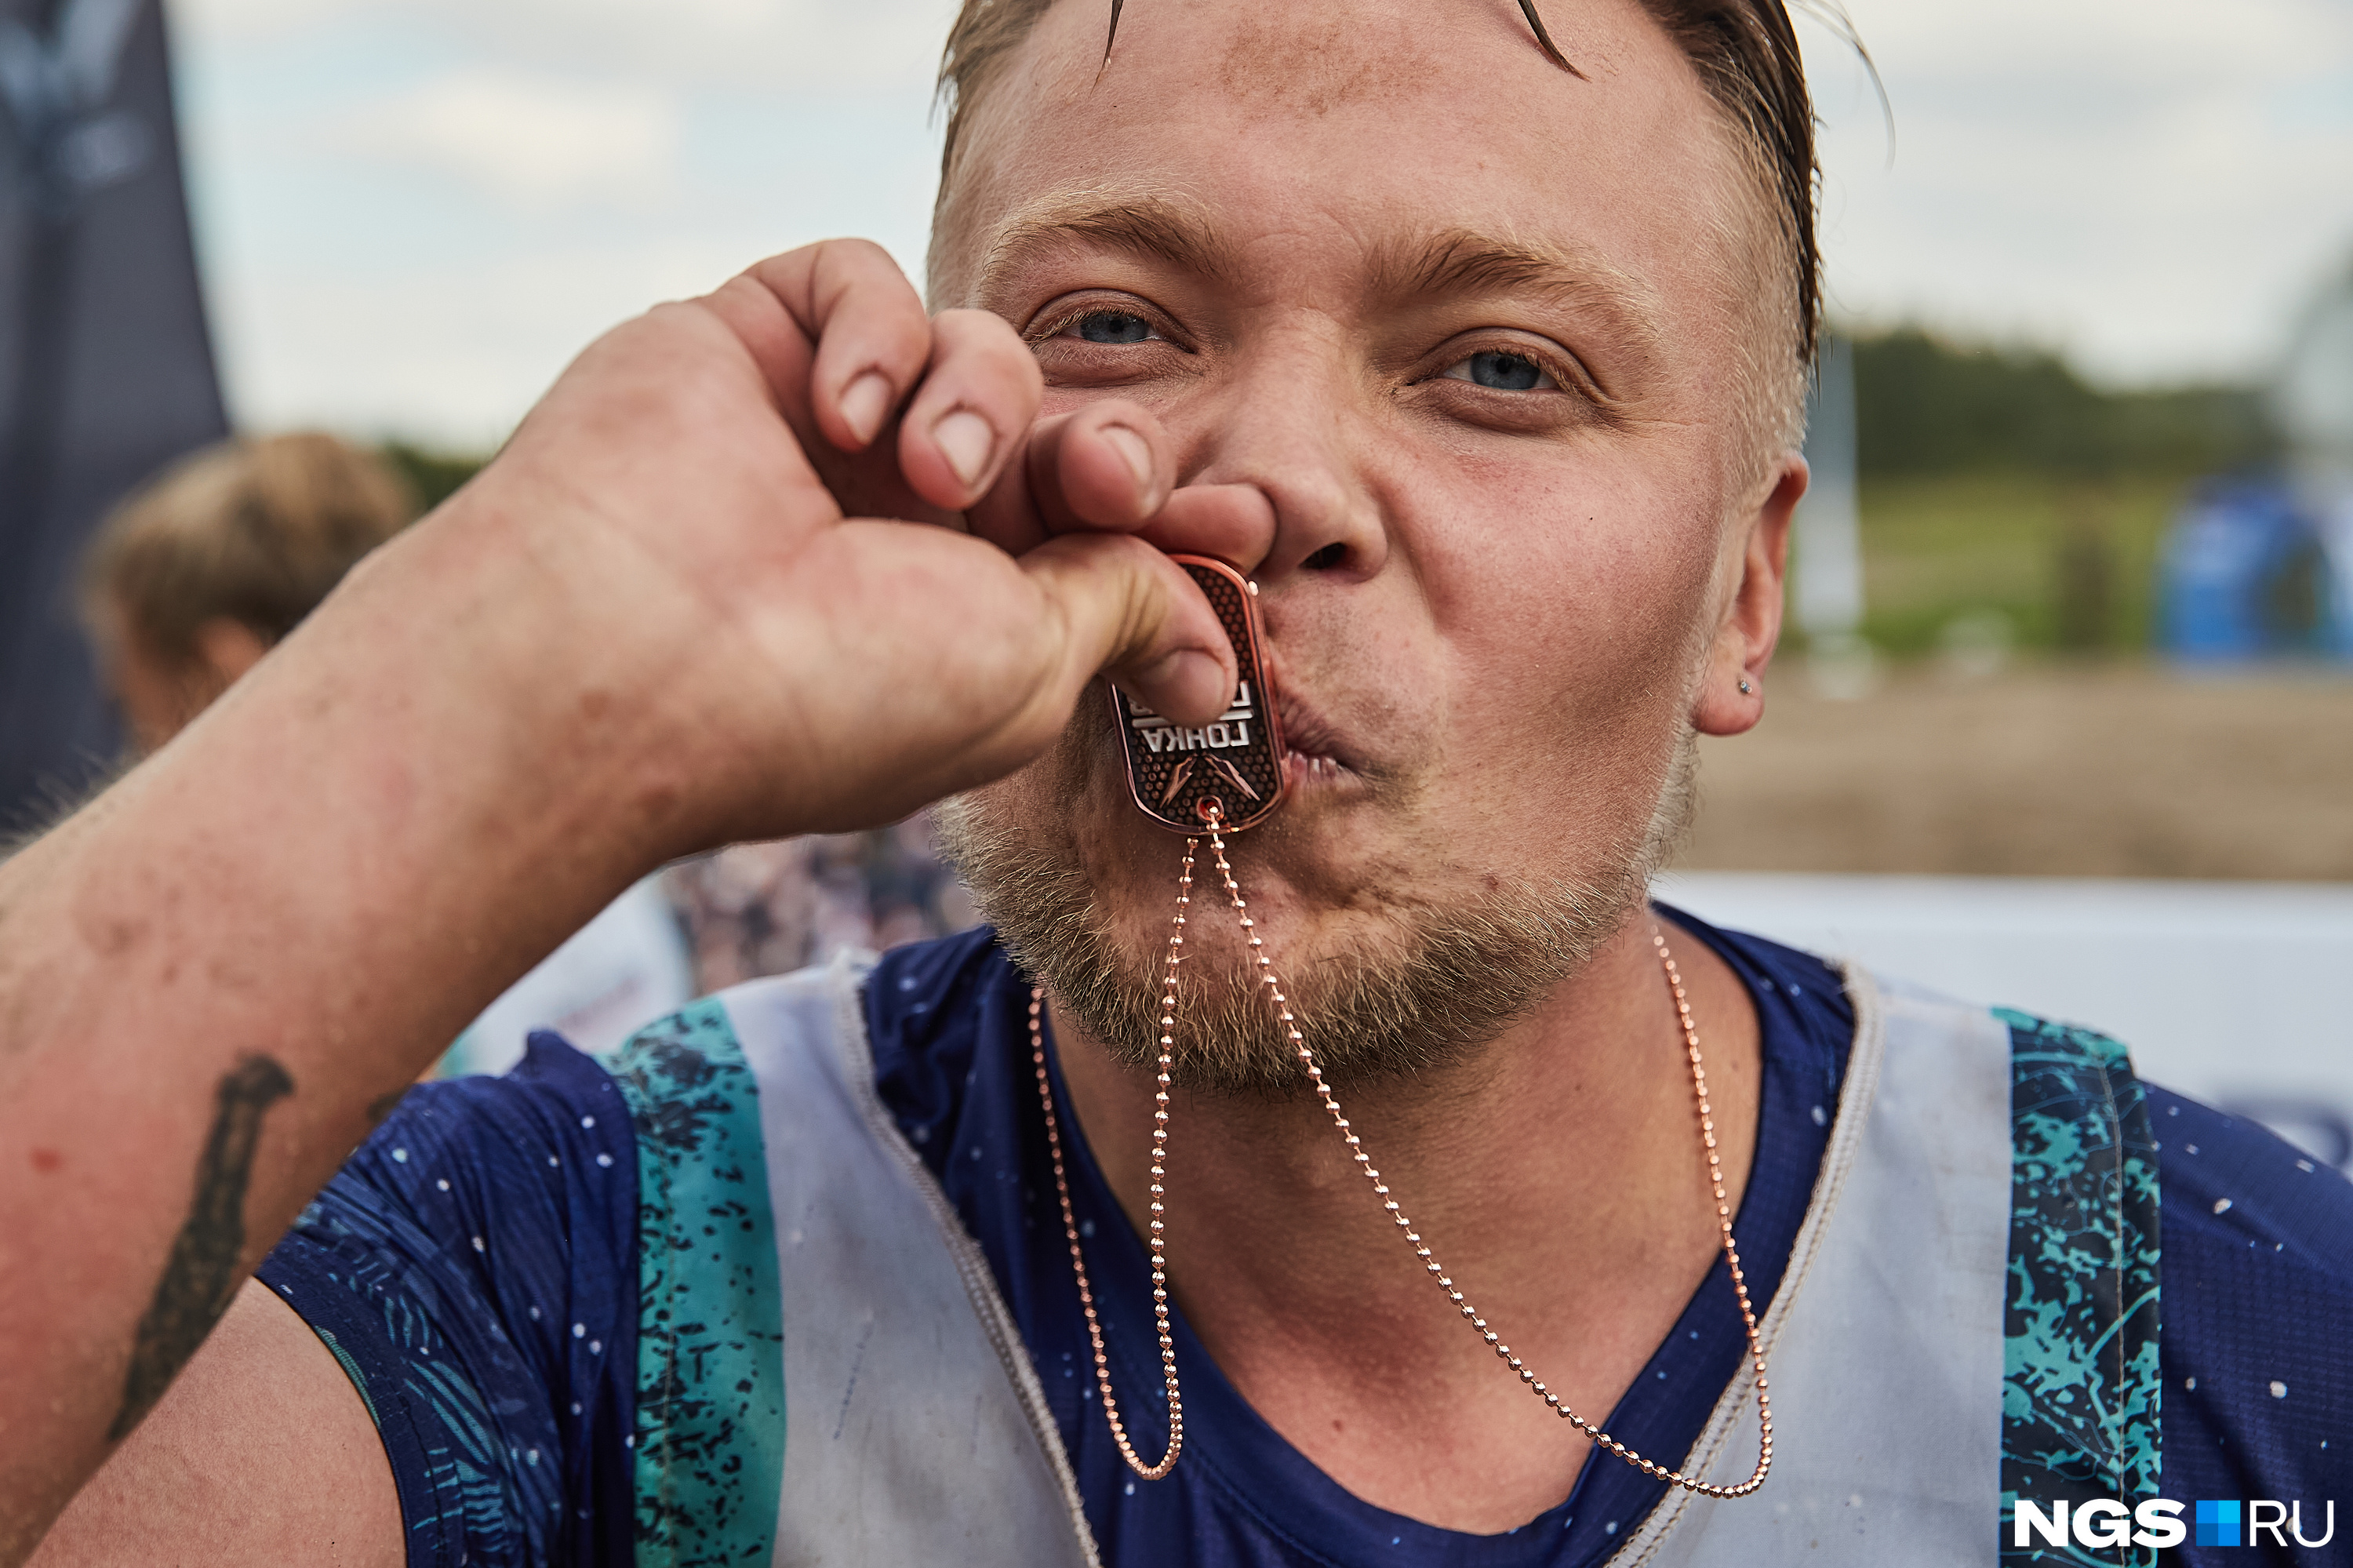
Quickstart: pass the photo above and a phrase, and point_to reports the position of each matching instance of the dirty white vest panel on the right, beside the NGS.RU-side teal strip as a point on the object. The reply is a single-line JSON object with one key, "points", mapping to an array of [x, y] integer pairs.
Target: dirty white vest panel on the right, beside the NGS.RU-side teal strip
{"points": [[1886, 1336]]}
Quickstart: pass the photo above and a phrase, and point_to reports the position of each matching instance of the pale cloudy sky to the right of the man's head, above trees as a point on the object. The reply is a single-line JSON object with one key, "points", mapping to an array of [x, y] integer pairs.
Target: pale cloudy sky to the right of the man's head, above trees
{"points": [[2154, 185]]}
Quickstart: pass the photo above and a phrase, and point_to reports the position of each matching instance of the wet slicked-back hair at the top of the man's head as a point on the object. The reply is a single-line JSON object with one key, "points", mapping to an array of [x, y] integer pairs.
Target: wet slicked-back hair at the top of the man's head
{"points": [[1745, 55]]}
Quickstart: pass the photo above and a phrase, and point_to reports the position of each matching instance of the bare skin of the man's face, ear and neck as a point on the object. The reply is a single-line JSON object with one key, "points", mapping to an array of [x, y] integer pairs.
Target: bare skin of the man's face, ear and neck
{"points": [[1502, 616]]}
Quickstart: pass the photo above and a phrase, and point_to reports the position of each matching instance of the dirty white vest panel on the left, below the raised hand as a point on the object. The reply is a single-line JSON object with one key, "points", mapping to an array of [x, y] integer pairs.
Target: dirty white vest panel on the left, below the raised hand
{"points": [[916, 1430]]}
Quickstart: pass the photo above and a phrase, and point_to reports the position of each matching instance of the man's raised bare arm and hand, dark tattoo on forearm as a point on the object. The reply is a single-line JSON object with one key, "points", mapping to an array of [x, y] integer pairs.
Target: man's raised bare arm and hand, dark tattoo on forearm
{"points": [[644, 630]]}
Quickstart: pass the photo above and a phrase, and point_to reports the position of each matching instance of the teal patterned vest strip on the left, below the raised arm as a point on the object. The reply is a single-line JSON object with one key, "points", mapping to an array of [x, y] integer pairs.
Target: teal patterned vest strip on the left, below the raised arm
{"points": [[709, 1341]]}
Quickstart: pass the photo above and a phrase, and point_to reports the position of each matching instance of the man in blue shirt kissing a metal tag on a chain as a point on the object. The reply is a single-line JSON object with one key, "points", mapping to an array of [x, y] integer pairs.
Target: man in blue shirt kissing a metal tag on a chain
{"points": [[1481, 354]]}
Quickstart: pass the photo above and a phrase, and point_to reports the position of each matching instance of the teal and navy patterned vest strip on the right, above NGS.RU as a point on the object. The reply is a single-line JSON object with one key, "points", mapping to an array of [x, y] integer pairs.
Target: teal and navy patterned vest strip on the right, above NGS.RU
{"points": [[2081, 1371]]}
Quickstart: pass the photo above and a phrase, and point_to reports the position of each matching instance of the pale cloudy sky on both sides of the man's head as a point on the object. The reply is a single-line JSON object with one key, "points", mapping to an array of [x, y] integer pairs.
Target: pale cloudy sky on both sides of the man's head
{"points": [[413, 213]]}
